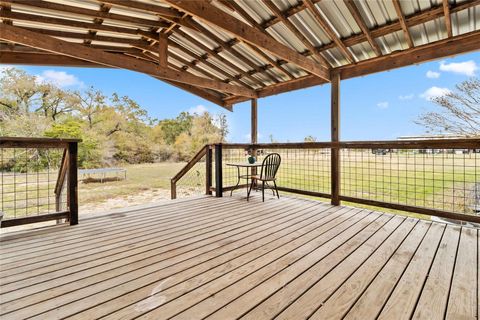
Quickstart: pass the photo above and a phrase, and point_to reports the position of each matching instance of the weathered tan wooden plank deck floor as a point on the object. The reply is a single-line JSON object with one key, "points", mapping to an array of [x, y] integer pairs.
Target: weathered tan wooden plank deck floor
{"points": [[224, 258]]}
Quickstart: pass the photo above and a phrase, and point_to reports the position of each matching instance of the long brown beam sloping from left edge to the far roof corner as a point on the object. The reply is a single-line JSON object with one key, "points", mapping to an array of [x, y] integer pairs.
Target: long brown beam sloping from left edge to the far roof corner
{"points": [[47, 43]]}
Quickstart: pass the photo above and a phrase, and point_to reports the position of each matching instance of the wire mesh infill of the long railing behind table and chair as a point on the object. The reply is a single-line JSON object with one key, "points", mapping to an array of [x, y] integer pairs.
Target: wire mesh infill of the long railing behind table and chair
{"points": [[441, 179]]}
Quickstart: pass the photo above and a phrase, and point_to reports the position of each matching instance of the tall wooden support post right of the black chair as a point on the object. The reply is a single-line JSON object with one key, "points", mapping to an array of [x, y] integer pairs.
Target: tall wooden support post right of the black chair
{"points": [[335, 127]]}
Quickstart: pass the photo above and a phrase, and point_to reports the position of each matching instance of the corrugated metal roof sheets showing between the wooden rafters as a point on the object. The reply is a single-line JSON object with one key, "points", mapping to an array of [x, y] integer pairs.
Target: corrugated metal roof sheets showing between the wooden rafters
{"points": [[235, 59]]}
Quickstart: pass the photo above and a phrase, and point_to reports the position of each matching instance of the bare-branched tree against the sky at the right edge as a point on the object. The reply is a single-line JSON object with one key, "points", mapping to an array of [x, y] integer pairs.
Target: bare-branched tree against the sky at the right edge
{"points": [[459, 111]]}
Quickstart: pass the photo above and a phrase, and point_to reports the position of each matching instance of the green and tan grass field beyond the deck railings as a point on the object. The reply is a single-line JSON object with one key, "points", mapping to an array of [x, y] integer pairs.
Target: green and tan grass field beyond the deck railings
{"points": [[443, 181]]}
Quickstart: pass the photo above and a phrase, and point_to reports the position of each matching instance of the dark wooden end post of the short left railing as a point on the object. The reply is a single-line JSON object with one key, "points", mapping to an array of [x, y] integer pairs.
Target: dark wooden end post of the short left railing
{"points": [[72, 188]]}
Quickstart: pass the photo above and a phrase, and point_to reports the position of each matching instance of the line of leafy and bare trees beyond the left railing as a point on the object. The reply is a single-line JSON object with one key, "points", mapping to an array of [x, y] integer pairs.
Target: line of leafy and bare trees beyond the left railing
{"points": [[114, 129]]}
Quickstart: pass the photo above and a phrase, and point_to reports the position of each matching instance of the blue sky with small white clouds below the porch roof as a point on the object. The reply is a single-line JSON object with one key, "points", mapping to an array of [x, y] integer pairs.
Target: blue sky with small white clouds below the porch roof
{"points": [[375, 107]]}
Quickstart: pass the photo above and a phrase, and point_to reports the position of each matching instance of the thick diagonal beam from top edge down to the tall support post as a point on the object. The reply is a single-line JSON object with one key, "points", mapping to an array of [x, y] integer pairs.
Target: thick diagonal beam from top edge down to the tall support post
{"points": [[216, 17]]}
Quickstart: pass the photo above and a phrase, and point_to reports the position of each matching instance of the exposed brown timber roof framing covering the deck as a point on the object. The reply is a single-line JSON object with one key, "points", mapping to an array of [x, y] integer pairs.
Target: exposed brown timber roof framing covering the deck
{"points": [[218, 49]]}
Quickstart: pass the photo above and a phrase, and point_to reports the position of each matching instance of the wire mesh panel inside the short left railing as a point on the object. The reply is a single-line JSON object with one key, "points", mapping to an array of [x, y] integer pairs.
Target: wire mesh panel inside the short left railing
{"points": [[28, 178]]}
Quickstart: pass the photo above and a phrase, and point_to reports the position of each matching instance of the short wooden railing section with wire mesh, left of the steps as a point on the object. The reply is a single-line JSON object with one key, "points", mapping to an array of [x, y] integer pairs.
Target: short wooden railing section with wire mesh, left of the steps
{"points": [[38, 179]]}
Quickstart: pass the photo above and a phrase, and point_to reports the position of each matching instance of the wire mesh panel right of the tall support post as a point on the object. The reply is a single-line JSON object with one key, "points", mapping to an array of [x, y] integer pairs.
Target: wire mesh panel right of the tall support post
{"points": [[441, 179]]}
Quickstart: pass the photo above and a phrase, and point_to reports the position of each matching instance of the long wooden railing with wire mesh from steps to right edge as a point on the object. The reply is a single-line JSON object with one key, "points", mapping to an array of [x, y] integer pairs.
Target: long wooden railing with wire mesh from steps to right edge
{"points": [[432, 177]]}
